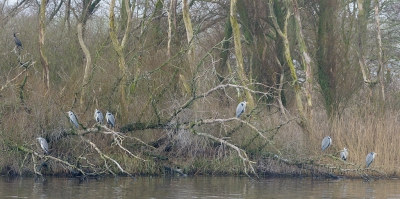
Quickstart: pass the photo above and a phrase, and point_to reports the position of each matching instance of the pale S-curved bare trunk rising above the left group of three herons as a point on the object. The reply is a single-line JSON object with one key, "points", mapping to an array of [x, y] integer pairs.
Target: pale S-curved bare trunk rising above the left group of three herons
{"points": [[88, 65]]}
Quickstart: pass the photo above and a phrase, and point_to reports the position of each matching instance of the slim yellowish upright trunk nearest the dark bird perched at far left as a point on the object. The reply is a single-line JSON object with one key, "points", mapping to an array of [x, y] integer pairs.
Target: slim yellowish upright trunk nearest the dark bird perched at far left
{"points": [[42, 31]]}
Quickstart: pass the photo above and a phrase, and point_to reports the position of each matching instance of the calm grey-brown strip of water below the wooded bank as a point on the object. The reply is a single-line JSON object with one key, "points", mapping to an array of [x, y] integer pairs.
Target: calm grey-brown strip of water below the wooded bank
{"points": [[196, 187]]}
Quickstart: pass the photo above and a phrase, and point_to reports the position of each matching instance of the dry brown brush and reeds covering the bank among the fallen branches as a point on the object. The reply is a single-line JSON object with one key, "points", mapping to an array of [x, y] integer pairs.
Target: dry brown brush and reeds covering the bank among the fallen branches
{"points": [[153, 97]]}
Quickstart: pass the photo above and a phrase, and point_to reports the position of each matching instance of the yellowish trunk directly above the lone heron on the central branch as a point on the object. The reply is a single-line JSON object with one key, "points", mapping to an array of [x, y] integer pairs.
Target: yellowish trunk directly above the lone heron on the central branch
{"points": [[238, 50]]}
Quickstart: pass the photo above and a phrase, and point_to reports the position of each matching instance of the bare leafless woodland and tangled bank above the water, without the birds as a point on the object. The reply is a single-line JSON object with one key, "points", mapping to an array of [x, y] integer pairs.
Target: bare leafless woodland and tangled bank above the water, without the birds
{"points": [[172, 73]]}
